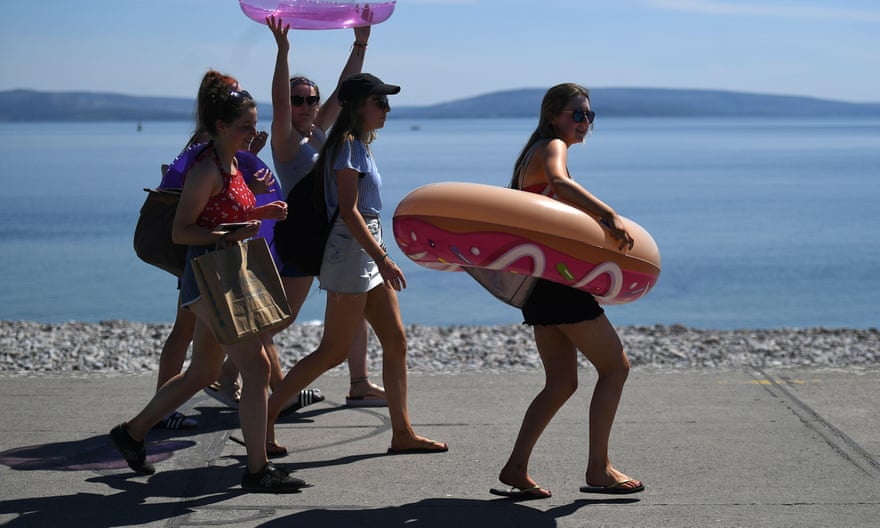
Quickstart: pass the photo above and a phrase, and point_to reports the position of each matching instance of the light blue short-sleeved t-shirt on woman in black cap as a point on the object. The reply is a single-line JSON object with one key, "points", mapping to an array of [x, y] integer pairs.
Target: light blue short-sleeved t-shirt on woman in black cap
{"points": [[355, 155]]}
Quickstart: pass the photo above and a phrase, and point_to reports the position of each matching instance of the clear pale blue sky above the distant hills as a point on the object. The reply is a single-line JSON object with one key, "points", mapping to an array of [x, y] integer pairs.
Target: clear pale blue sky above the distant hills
{"points": [[441, 50]]}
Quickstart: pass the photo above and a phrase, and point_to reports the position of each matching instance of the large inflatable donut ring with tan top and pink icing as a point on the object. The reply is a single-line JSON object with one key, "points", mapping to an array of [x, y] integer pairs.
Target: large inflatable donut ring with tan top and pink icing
{"points": [[450, 226]]}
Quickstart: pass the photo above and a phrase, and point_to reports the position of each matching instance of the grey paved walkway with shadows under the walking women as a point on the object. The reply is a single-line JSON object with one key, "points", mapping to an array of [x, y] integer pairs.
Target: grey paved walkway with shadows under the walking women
{"points": [[771, 448]]}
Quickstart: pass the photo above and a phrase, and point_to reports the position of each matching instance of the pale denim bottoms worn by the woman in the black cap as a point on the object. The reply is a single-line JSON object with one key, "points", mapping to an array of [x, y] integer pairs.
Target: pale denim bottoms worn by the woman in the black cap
{"points": [[347, 267]]}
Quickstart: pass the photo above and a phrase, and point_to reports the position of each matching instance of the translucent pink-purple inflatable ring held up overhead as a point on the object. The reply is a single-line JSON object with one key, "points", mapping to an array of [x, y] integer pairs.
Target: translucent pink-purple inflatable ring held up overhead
{"points": [[318, 14]]}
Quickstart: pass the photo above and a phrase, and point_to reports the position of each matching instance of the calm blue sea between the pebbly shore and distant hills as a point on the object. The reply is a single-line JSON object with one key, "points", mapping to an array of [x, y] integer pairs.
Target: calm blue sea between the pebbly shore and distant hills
{"points": [[761, 223]]}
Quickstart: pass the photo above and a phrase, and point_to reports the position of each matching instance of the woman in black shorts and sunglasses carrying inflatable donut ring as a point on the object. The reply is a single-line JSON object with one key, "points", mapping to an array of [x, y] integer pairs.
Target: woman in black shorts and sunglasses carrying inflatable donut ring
{"points": [[567, 320]]}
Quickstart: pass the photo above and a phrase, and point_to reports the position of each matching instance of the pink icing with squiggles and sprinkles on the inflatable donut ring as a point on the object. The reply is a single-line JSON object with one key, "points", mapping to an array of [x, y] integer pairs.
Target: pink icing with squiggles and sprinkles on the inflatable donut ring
{"points": [[444, 250]]}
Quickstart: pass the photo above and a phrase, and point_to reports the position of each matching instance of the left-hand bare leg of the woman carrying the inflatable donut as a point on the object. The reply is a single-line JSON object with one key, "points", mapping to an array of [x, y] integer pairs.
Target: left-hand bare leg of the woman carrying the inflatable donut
{"points": [[559, 357]]}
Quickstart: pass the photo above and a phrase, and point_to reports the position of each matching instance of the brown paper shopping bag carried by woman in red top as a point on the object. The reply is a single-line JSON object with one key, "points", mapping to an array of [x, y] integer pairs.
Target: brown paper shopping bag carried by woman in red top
{"points": [[244, 289]]}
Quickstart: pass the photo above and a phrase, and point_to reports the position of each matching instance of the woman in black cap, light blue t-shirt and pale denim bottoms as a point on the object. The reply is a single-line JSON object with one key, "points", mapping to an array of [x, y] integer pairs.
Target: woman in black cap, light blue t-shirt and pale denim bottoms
{"points": [[360, 278]]}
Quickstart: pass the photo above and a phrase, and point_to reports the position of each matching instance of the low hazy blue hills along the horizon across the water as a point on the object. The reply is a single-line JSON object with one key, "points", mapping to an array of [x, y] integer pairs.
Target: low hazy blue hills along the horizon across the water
{"points": [[30, 105]]}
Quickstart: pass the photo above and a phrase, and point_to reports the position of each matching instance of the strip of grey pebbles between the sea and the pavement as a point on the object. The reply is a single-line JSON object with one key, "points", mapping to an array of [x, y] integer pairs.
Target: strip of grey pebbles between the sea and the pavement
{"points": [[131, 347]]}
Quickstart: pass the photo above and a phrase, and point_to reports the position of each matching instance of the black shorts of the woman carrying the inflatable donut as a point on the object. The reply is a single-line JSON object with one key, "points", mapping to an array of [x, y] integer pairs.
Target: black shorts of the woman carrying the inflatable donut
{"points": [[551, 303]]}
